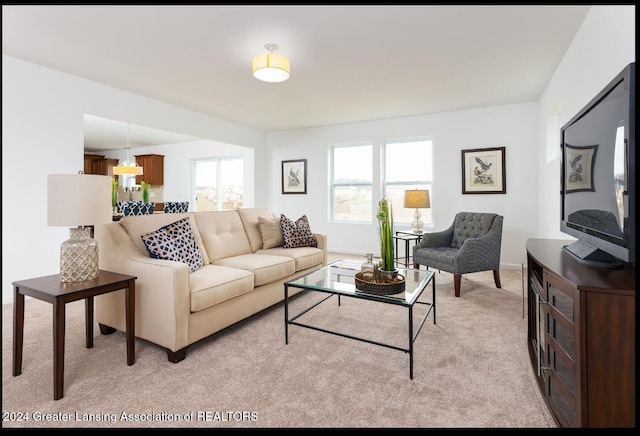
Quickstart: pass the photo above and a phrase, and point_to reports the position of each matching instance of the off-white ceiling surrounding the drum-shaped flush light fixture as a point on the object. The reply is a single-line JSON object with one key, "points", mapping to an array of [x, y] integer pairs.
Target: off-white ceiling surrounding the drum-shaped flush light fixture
{"points": [[348, 63]]}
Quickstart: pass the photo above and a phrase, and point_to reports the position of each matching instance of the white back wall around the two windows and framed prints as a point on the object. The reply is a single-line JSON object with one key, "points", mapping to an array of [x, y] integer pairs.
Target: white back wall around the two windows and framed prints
{"points": [[512, 126]]}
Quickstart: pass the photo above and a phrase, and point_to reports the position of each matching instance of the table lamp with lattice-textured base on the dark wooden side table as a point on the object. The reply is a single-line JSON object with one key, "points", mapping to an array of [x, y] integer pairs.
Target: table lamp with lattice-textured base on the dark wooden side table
{"points": [[81, 200]]}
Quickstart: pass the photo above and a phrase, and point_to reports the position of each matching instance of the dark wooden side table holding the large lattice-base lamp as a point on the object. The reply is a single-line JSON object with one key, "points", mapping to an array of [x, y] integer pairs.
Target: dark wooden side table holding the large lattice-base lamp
{"points": [[51, 290]]}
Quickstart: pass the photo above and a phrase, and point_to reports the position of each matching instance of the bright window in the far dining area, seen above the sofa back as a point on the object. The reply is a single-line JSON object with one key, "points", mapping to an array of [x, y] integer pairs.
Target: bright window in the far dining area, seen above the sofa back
{"points": [[218, 184]]}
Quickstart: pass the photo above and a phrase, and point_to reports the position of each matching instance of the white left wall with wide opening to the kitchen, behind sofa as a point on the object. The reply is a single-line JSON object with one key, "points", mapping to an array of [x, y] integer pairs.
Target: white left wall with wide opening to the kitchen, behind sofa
{"points": [[43, 133]]}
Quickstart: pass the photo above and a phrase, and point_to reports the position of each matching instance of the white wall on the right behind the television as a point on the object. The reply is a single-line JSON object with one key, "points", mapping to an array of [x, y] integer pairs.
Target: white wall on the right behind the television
{"points": [[603, 46]]}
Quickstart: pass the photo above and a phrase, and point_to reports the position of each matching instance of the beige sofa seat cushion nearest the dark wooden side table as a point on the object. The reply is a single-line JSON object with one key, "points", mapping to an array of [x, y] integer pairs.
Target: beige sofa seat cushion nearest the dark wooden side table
{"points": [[213, 284]]}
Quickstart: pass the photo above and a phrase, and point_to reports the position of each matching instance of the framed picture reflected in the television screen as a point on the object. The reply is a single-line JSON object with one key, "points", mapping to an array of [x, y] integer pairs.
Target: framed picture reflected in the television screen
{"points": [[578, 167]]}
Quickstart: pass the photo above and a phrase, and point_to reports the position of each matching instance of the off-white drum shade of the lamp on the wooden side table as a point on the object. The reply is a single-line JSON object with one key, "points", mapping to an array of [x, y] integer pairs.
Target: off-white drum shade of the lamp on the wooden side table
{"points": [[78, 199]]}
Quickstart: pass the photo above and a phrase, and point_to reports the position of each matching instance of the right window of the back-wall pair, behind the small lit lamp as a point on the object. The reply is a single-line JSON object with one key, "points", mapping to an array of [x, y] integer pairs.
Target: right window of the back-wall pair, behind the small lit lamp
{"points": [[407, 165]]}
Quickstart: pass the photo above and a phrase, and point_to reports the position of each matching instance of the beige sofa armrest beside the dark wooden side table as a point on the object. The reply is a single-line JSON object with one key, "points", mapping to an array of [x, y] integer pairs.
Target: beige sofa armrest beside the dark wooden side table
{"points": [[163, 297]]}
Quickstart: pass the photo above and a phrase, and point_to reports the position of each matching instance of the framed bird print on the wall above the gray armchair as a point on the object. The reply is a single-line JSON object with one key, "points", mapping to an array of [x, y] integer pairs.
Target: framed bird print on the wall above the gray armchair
{"points": [[483, 171]]}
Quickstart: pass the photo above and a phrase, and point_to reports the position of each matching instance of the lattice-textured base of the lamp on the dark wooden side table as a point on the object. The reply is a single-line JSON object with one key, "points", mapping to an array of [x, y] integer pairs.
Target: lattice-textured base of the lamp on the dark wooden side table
{"points": [[79, 256]]}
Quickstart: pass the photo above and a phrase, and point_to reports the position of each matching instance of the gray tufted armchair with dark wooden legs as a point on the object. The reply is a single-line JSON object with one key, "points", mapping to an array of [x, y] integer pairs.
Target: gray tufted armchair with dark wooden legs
{"points": [[471, 244]]}
